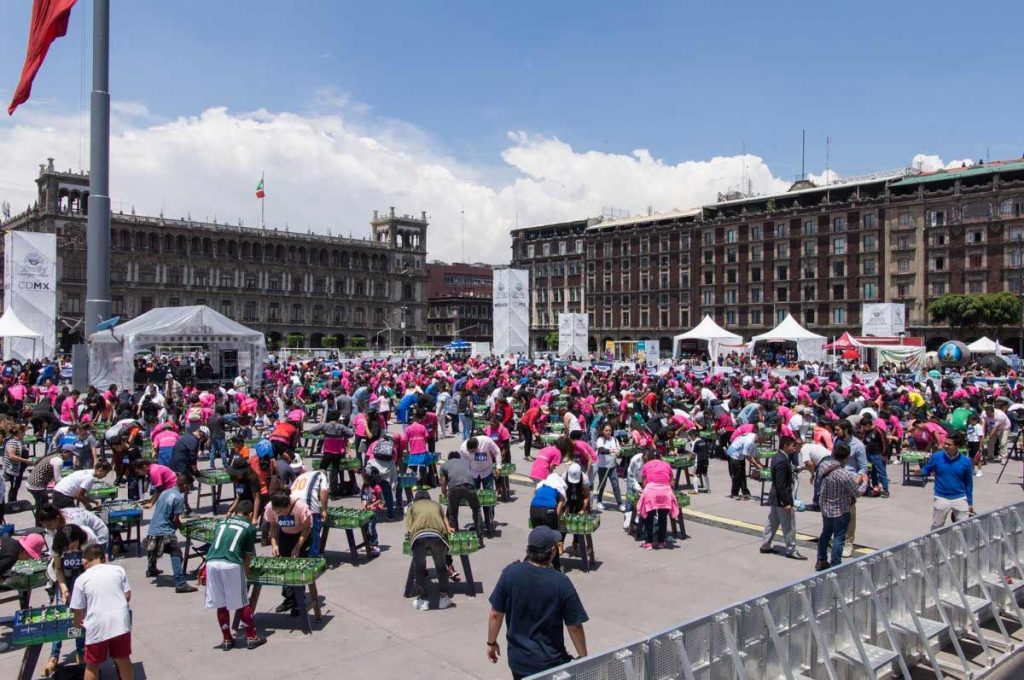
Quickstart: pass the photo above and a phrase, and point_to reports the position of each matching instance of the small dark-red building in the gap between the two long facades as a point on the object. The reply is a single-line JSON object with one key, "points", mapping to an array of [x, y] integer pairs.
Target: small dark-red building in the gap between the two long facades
{"points": [[460, 301]]}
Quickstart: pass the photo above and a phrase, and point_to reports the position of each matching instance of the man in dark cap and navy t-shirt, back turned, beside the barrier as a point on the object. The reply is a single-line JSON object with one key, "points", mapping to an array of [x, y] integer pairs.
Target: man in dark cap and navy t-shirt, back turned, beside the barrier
{"points": [[535, 603]]}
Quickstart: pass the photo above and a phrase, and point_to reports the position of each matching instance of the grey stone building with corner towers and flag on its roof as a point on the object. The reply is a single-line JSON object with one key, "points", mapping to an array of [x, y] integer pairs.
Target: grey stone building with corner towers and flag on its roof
{"points": [[284, 284]]}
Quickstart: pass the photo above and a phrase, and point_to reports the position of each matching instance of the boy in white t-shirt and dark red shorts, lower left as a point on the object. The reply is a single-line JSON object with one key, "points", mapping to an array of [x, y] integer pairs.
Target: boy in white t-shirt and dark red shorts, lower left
{"points": [[101, 605]]}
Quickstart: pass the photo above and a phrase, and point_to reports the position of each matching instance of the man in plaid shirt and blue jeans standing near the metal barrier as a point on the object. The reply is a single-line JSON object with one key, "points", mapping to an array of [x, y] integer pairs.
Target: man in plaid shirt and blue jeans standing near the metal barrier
{"points": [[838, 492]]}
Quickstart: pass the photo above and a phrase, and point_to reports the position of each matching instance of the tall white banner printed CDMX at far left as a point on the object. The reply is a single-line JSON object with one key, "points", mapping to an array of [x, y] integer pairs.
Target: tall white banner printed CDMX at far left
{"points": [[31, 290]]}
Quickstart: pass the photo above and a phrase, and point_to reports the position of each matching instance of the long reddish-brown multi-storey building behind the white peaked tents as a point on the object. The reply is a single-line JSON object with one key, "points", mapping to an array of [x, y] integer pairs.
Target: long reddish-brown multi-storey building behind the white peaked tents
{"points": [[817, 252]]}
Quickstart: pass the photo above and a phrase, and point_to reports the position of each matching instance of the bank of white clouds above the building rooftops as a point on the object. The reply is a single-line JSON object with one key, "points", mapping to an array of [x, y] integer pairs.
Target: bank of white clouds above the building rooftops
{"points": [[330, 168]]}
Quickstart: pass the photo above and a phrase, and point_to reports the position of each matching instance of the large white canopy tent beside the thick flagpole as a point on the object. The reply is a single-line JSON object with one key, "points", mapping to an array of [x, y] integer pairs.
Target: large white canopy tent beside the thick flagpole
{"points": [[112, 353]]}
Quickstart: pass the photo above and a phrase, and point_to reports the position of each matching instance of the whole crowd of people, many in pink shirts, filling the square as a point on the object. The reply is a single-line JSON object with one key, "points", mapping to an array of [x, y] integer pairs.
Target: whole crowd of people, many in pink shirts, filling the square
{"points": [[583, 432]]}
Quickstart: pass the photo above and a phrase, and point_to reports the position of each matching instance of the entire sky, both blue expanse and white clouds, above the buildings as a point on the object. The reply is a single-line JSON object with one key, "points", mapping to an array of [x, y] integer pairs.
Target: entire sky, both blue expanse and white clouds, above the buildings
{"points": [[498, 115]]}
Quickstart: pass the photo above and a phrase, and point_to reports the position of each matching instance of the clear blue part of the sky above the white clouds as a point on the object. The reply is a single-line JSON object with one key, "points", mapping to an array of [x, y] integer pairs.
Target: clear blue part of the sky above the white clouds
{"points": [[688, 81]]}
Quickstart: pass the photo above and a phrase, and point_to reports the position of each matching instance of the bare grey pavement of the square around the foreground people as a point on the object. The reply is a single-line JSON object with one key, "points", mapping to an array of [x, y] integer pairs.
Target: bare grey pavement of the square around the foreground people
{"points": [[370, 630]]}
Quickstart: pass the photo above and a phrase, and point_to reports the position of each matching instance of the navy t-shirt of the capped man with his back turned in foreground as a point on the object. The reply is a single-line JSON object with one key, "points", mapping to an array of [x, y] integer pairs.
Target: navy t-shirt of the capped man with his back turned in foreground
{"points": [[538, 603]]}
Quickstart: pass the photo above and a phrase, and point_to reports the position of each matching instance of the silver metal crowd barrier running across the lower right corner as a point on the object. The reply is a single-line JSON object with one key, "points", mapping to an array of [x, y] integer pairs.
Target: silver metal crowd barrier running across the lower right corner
{"points": [[955, 590]]}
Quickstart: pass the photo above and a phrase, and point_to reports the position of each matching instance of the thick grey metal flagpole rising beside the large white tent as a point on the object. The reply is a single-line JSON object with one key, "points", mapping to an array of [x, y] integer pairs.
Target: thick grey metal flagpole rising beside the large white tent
{"points": [[98, 292]]}
